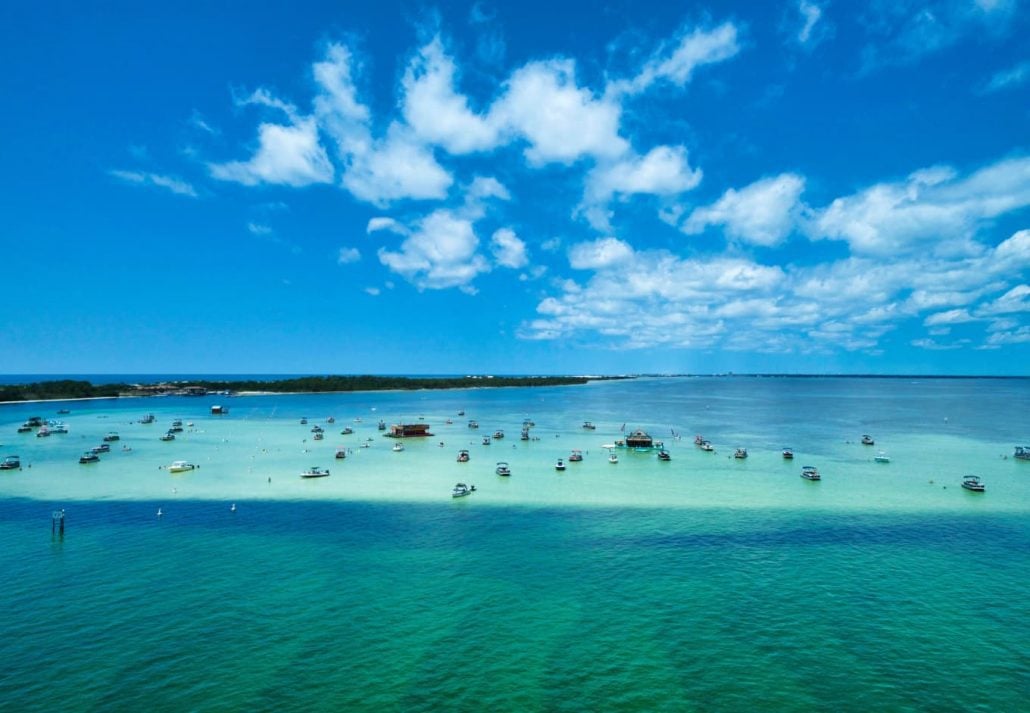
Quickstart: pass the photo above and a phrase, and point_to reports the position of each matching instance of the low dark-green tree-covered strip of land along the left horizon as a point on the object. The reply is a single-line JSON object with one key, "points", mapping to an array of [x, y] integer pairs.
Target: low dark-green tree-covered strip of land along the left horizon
{"points": [[66, 390]]}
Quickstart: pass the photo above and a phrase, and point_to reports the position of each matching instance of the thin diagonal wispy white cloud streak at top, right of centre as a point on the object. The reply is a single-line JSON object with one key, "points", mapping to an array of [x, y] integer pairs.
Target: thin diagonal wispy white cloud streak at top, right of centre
{"points": [[694, 50]]}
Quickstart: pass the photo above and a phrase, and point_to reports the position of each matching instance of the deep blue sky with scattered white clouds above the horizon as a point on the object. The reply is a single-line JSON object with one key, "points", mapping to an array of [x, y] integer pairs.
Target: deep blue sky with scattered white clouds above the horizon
{"points": [[541, 188]]}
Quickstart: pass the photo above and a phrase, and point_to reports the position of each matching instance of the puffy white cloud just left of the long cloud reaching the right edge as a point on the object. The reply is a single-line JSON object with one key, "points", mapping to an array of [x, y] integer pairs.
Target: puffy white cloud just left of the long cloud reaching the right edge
{"points": [[764, 214]]}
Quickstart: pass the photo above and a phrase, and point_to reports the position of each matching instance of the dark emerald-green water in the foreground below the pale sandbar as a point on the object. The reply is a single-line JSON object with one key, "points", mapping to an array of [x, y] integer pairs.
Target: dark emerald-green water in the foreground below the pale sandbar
{"points": [[380, 607]]}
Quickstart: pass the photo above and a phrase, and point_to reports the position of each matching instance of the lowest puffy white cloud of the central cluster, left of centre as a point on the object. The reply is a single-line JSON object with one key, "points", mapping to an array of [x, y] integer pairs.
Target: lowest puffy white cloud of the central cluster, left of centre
{"points": [[439, 254]]}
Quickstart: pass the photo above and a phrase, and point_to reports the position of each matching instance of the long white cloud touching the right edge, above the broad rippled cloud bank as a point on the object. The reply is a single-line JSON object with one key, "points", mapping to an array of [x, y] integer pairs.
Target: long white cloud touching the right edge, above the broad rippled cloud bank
{"points": [[931, 208]]}
